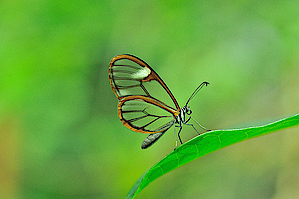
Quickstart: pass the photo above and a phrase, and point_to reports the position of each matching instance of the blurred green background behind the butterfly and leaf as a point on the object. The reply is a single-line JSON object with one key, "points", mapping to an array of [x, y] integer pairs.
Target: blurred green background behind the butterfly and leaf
{"points": [[60, 133]]}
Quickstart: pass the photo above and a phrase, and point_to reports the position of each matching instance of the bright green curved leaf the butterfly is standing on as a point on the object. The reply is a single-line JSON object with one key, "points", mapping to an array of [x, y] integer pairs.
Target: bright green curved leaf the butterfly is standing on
{"points": [[204, 144]]}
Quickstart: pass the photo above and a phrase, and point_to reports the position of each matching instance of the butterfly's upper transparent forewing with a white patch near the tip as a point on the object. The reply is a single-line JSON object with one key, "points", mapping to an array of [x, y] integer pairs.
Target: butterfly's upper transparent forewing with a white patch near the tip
{"points": [[129, 75]]}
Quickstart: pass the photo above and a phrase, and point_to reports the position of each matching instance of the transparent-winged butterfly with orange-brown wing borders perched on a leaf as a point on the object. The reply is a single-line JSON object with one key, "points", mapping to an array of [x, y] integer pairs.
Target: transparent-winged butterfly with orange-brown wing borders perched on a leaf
{"points": [[139, 90]]}
